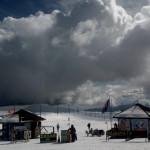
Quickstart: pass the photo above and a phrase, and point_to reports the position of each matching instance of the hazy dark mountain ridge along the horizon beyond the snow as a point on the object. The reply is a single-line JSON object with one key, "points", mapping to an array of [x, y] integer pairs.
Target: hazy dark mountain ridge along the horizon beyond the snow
{"points": [[64, 108]]}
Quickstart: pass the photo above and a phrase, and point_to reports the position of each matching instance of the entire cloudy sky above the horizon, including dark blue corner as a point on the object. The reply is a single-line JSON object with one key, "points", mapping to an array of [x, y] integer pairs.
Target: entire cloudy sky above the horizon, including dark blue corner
{"points": [[74, 52]]}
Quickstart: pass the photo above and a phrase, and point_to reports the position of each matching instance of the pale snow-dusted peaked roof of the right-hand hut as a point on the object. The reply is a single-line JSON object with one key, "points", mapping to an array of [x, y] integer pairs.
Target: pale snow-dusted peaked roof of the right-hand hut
{"points": [[135, 111]]}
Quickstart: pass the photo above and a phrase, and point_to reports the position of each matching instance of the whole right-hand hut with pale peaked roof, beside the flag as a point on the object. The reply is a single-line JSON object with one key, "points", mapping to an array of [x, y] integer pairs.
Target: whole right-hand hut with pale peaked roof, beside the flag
{"points": [[133, 122]]}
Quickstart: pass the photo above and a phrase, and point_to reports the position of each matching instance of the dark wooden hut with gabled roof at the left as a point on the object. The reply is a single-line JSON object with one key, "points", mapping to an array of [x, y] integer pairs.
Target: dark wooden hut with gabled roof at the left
{"points": [[16, 124]]}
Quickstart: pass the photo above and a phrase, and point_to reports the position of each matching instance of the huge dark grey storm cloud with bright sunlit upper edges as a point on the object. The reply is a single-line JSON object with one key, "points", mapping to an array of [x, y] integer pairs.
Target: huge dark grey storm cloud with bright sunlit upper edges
{"points": [[43, 56]]}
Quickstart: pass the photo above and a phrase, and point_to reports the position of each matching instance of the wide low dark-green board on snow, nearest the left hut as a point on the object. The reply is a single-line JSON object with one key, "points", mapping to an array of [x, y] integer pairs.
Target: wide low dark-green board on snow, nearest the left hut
{"points": [[47, 138]]}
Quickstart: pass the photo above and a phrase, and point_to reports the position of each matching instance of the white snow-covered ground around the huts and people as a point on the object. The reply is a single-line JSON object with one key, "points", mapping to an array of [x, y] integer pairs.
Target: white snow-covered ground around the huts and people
{"points": [[80, 121]]}
